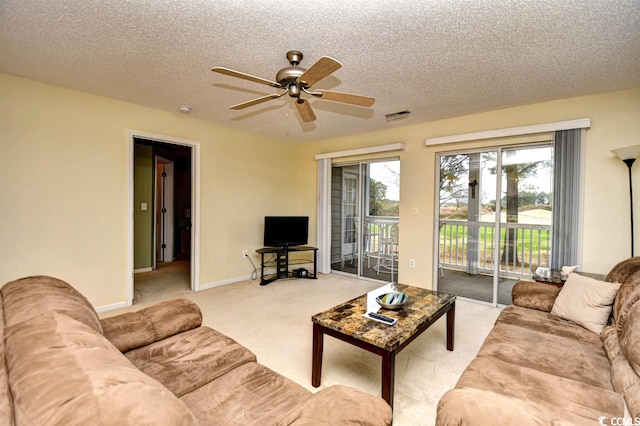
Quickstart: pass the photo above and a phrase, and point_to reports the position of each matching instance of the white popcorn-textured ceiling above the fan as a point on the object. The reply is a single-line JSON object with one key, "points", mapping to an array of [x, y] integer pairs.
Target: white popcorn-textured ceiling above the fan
{"points": [[435, 58]]}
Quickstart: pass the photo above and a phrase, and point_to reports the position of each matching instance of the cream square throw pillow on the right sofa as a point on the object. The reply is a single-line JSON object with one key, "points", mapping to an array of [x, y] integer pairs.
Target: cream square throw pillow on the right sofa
{"points": [[585, 301]]}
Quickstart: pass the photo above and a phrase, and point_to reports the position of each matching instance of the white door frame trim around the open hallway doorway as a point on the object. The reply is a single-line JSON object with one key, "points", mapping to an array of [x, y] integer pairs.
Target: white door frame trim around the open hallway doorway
{"points": [[195, 204]]}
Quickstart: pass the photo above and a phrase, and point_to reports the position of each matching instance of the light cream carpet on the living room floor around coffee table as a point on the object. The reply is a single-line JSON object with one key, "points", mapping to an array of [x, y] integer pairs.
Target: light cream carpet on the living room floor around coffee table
{"points": [[274, 322]]}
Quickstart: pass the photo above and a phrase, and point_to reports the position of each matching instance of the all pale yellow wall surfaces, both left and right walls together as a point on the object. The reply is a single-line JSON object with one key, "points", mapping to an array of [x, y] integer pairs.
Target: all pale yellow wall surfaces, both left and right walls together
{"points": [[63, 183]]}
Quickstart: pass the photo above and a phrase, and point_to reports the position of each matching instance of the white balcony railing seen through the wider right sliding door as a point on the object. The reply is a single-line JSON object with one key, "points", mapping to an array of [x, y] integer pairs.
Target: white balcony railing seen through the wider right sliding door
{"points": [[471, 247]]}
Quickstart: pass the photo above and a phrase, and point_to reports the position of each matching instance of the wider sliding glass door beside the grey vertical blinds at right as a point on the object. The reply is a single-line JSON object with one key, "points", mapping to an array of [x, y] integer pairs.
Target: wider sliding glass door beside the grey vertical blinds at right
{"points": [[494, 221]]}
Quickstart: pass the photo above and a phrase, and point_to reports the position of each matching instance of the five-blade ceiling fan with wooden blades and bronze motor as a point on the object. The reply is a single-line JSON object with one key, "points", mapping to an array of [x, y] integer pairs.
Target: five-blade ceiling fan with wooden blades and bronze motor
{"points": [[295, 81]]}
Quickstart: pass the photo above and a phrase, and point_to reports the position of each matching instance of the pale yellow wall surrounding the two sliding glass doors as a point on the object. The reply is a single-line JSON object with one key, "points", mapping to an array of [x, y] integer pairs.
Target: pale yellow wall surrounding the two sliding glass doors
{"points": [[614, 123]]}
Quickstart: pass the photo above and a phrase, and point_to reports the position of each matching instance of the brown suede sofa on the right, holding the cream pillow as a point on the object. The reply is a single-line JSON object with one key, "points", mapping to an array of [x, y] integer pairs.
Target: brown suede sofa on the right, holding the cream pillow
{"points": [[535, 368]]}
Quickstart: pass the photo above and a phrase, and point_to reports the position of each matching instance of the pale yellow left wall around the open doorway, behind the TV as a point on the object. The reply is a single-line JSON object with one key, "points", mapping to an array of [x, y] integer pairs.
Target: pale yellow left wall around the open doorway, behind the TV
{"points": [[63, 187]]}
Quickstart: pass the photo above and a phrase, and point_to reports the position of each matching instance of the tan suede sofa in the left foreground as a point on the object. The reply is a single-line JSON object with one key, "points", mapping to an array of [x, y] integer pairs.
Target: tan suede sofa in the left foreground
{"points": [[61, 365]]}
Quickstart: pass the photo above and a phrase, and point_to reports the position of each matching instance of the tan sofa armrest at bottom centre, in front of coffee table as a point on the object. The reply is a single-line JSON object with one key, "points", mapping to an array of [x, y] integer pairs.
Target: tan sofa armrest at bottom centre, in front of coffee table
{"points": [[339, 405]]}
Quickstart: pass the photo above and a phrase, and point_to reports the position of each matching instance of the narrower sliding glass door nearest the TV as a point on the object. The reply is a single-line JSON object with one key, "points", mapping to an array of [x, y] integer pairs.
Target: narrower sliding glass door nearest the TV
{"points": [[365, 200]]}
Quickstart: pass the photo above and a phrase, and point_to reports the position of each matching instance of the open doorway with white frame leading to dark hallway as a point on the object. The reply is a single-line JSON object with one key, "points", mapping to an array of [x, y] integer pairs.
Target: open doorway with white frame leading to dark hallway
{"points": [[163, 233]]}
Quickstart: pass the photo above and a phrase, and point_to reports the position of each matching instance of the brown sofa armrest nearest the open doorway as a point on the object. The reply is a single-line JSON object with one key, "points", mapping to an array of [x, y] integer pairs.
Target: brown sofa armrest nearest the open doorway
{"points": [[136, 329]]}
